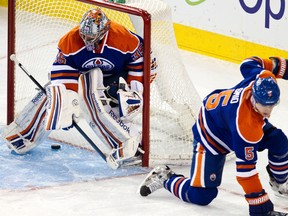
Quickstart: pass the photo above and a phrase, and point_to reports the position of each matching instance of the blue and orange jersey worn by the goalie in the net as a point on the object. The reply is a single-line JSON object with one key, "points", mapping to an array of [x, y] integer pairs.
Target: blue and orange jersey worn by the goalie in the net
{"points": [[120, 53]]}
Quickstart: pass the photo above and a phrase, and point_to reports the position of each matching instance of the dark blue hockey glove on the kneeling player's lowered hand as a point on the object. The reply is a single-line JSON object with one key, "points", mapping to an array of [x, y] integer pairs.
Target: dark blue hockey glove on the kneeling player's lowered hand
{"points": [[259, 203]]}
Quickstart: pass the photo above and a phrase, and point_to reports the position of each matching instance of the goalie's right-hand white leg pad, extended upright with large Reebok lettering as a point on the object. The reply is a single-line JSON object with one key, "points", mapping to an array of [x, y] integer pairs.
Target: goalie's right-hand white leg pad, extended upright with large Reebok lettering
{"points": [[122, 138]]}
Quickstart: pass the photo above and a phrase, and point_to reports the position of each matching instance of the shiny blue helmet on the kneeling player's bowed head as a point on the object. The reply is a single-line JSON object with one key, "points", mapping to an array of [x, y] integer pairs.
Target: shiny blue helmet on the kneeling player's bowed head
{"points": [[266, 91]]}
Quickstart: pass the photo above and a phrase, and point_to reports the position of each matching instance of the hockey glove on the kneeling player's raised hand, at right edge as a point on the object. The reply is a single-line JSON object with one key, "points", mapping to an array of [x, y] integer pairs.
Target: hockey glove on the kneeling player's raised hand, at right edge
{"points": [[280, 69]]}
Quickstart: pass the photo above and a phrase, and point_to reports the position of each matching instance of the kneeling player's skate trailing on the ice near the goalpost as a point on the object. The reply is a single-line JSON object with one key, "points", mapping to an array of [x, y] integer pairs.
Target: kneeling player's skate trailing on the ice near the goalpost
{"points": [[155, 180]]}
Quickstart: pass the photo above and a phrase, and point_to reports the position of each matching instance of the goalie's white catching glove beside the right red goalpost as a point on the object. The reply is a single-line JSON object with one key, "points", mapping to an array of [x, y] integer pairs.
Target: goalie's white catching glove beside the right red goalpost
{"points": [[130, 100]]}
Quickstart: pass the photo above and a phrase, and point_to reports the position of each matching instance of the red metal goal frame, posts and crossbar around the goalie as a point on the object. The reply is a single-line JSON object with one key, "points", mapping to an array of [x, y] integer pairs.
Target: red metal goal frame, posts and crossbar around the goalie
{"points": [[146, 17]]}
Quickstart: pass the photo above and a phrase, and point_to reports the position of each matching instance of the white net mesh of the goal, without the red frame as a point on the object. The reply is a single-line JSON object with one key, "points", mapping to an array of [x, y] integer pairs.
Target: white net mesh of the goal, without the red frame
{"points": [[174, 101]]}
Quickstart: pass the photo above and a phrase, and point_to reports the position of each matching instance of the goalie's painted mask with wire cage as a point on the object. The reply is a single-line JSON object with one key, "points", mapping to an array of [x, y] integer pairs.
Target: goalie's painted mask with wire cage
{"points": [[93, 27]]}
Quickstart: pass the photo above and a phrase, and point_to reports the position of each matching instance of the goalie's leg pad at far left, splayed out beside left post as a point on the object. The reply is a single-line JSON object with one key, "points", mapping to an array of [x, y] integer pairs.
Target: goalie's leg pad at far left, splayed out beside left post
{"points": [[28, 129]]}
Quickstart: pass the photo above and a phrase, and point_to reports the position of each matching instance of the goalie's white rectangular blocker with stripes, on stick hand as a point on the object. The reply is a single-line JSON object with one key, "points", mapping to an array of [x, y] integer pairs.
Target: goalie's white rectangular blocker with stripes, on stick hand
{"points": [[62, 107]]}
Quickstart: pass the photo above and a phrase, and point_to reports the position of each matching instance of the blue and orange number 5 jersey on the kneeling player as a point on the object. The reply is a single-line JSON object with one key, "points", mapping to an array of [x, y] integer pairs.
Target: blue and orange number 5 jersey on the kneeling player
{"points": [[227, 122]]}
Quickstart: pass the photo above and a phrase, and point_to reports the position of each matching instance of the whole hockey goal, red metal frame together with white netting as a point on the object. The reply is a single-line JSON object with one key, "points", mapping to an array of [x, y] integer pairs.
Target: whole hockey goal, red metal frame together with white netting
{"points": [[170, 102]]}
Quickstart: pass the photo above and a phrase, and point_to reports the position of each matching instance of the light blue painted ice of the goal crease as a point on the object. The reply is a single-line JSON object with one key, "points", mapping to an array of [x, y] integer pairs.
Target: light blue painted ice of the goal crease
{"points": [[44, 167]]}
